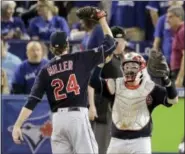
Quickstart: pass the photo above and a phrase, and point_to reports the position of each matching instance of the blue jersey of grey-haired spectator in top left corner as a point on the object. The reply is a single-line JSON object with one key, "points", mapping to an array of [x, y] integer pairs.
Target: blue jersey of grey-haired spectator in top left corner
{"points": [[15, 23]]}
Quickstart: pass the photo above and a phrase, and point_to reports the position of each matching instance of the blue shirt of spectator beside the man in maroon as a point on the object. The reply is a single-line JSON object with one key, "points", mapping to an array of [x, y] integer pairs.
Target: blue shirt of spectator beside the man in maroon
{"points": [[163, 32]]}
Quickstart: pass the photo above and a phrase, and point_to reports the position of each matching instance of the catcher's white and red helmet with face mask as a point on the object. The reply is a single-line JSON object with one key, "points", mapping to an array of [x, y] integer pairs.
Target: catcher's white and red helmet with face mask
{"points": [[132, 66]]}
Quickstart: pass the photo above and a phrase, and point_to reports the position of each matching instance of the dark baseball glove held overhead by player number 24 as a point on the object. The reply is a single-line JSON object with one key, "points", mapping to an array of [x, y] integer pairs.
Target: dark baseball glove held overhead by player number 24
{"points": [[89, 12]]}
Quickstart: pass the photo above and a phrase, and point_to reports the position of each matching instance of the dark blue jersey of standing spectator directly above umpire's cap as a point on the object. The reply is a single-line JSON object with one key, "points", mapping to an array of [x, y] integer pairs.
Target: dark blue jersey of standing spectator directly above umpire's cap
{"points": [[129, 14]]}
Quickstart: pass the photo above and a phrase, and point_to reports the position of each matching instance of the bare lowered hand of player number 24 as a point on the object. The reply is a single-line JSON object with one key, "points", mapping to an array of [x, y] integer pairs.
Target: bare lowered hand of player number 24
{"points": [[17, 135]]}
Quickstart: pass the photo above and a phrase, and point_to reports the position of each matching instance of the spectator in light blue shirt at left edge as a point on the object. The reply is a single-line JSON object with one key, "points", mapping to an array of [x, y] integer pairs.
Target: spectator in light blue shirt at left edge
{"points": [[9, 61]]}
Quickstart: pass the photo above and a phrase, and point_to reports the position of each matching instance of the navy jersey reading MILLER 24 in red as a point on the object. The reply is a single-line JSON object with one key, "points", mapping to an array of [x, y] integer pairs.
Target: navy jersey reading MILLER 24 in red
{"points": [[65, 79]]}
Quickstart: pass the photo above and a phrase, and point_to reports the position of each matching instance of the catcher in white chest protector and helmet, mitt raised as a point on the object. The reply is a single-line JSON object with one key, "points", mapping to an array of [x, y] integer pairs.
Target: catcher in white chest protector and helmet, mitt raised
{"points": [[136, 96]]}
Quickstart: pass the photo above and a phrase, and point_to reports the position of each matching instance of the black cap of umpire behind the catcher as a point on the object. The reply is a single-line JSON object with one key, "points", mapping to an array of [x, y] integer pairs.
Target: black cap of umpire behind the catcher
{"points": [[118, 32]]}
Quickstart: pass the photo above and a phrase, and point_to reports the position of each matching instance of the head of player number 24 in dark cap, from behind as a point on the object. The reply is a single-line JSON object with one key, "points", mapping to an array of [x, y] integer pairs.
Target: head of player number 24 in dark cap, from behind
{"points": [[58, 42]]}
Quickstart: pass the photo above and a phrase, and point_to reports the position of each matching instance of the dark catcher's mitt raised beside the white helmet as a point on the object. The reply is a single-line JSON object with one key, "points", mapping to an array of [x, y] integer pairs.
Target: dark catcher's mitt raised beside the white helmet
{"points": [[157, 65]]}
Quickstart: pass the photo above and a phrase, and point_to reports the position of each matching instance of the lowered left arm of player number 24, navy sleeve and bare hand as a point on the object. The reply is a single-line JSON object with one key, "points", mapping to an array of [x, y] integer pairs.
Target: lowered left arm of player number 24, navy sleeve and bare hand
{"points": [[34, 98]]}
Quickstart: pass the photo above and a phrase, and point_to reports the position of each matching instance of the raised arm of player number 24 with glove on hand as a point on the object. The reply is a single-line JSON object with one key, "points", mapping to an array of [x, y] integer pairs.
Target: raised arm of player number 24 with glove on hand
{"points": [[98, 55]]}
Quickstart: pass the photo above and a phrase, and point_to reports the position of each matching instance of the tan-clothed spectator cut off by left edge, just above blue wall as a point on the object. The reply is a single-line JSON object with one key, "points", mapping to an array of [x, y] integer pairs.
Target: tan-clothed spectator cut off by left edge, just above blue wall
{"points": [[4, 83]]}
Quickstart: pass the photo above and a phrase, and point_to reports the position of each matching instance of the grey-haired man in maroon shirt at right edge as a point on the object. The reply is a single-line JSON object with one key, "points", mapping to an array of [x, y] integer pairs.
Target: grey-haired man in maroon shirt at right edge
{"points": [[175, 18]]}
